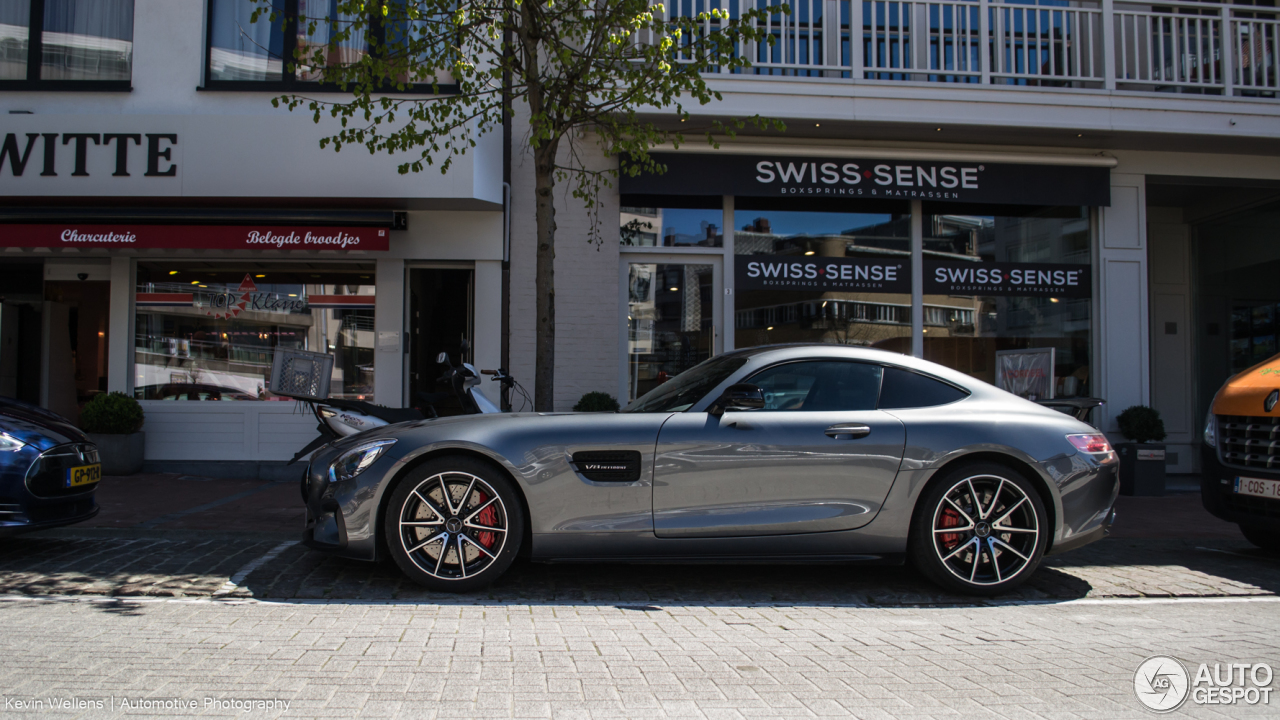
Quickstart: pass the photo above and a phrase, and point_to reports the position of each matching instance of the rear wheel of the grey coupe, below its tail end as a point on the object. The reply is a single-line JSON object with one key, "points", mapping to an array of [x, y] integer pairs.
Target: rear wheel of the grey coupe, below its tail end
{"points": [[981, 530]]}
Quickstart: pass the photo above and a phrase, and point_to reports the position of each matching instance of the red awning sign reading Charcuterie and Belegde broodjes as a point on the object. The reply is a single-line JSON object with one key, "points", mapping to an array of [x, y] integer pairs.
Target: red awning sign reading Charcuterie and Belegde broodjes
{"points": [[196, 238]]}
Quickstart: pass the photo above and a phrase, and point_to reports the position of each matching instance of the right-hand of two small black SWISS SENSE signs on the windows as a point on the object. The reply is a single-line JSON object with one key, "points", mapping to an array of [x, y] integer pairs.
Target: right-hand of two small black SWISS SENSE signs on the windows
{"points": [[1048, 280]]}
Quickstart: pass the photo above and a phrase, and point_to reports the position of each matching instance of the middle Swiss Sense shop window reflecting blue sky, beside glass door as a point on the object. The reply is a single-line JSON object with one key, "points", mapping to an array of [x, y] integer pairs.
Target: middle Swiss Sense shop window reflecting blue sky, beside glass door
{"points": [[822, 272]]}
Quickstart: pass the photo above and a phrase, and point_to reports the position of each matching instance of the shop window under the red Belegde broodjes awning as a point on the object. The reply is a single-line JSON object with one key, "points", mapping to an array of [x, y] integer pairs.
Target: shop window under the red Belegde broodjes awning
{"points": [[209, 331]]}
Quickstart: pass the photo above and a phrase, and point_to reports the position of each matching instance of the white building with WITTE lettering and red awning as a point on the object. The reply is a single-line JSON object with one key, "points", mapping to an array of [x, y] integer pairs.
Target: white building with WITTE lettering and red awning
{"points": [[166, 231]]}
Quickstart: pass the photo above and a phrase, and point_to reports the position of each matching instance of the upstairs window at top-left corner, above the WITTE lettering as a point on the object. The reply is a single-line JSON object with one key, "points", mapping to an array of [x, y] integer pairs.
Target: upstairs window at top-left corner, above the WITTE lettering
{"points": [[67, 43]]}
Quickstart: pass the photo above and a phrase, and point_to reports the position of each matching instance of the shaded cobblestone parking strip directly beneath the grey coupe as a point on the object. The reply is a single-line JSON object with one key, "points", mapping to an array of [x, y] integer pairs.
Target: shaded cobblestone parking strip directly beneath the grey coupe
{"points": [[191, 564]]}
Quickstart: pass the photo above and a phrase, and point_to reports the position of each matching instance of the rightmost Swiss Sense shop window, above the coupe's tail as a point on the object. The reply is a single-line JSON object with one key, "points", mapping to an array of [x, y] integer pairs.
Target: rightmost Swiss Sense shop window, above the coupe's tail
{"points": [[1011, 291]]}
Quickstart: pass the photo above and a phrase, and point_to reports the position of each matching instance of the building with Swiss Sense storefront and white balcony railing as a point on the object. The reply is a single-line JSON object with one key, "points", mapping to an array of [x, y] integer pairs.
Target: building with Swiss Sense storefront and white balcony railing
{"points": [[1069, 195]]}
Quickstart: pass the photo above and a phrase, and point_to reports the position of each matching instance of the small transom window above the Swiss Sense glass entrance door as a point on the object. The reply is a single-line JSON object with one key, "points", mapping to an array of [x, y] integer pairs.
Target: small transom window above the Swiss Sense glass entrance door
{"points": [[671, 222]]}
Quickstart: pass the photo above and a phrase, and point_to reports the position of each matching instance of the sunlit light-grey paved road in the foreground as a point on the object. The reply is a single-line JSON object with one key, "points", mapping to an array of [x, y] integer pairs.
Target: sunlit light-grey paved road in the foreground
{"points": [[587, 660]]}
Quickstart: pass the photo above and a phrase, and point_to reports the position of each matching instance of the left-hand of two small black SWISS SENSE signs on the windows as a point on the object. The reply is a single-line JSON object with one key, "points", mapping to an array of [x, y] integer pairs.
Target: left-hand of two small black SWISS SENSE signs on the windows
{"points": [[822, 275]]}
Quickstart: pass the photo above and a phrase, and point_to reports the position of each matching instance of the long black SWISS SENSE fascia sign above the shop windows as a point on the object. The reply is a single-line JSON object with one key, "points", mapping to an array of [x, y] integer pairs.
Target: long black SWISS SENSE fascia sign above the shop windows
{"points": [[798, 176]]}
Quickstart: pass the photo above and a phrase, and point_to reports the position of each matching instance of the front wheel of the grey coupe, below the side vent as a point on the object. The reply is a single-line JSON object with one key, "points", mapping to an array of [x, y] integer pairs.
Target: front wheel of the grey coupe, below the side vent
{"points": [[454, 525]]}
